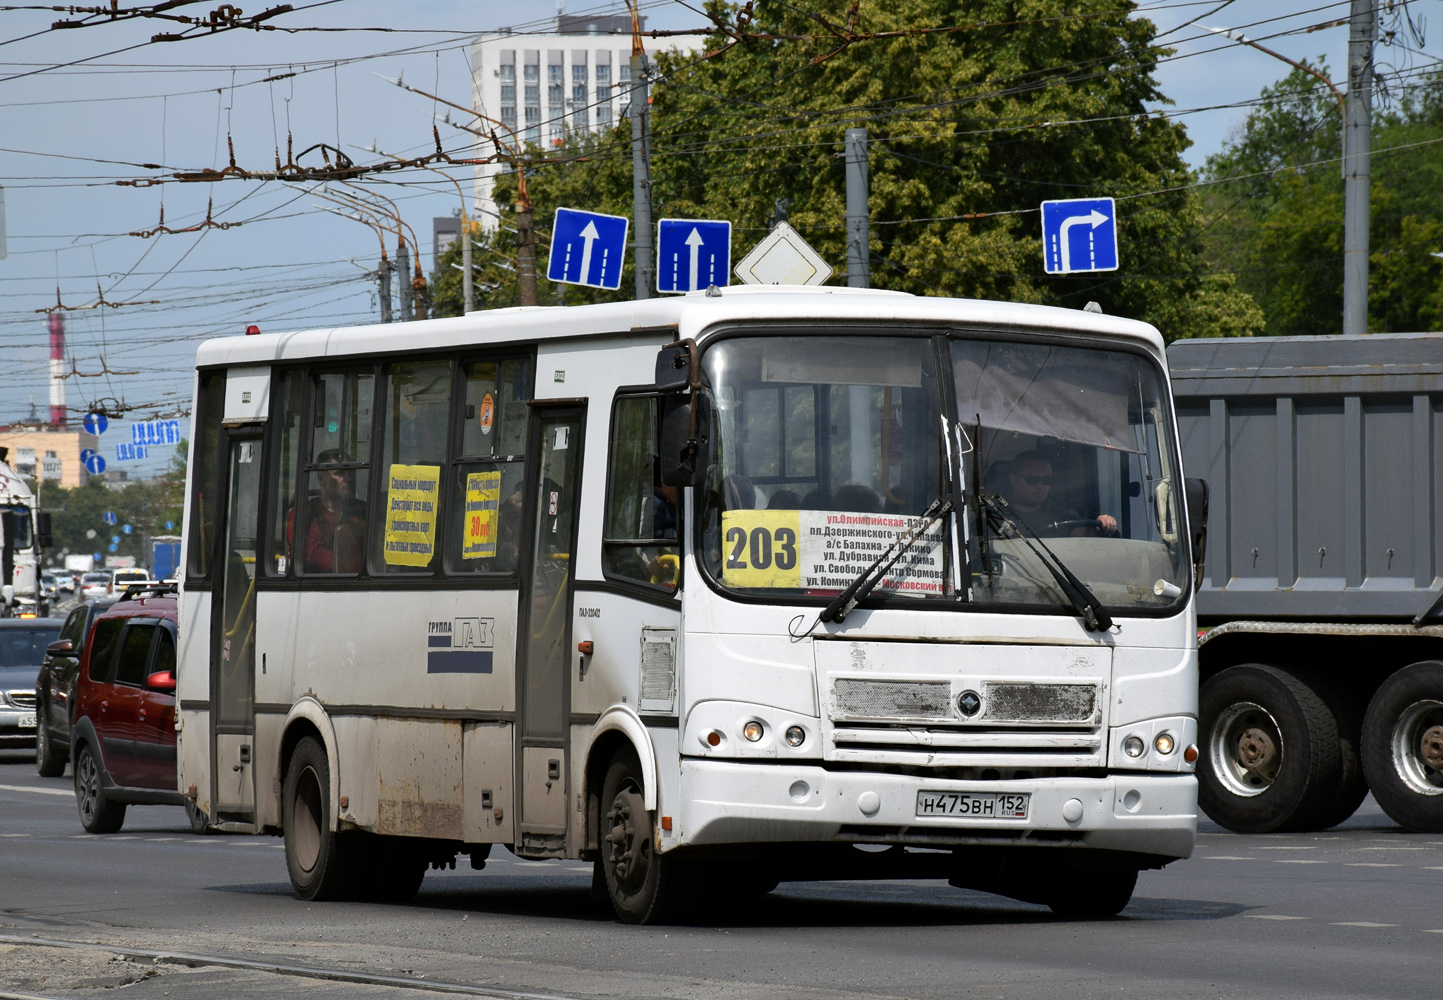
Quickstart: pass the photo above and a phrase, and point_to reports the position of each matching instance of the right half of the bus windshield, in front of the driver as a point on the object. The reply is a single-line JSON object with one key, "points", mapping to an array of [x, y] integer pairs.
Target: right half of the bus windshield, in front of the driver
{"points": [[1076, 447]]}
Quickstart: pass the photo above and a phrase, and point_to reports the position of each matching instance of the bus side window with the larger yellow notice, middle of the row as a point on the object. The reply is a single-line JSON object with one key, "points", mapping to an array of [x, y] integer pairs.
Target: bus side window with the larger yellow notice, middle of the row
{"points": [[413, 451]]}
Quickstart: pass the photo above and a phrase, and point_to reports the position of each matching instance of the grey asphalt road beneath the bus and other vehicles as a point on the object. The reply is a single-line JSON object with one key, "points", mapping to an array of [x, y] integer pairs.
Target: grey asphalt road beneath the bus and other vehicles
{"points": [[1350, 913]]}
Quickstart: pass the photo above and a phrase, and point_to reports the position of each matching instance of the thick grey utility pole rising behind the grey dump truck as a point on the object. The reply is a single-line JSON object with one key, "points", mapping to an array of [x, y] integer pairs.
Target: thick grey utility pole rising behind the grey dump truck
{"points": [[1357, 167]]}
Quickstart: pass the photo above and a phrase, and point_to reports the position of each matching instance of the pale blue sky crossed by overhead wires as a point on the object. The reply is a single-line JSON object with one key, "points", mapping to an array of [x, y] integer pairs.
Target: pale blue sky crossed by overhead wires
{"points": [[69, 133]]}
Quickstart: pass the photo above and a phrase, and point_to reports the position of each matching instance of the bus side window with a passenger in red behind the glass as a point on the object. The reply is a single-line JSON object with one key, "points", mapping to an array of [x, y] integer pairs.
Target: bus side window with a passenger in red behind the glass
{"points": [[334, 514]]}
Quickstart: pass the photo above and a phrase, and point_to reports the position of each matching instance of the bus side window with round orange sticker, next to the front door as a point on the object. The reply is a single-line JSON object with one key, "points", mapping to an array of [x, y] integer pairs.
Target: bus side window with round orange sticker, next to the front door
{"points": [[488, 471]]}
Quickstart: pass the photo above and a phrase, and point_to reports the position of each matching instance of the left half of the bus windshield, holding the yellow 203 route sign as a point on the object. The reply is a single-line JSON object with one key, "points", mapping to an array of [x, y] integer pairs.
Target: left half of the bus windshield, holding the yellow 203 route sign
{"points": [[826, 451]]}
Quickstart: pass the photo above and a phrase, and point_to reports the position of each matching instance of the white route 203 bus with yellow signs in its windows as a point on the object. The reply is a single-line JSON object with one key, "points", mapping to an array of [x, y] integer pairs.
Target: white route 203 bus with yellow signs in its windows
{"points": [[727, 589]]}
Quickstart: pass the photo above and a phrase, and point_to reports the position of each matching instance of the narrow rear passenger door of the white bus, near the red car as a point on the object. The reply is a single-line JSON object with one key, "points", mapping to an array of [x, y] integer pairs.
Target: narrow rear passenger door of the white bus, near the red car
{"points": [[233, 637]]}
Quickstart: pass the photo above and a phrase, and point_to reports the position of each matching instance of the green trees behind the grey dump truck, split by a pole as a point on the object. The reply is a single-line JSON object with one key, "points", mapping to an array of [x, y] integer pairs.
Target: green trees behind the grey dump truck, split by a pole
{"points": [[1276, 203]]}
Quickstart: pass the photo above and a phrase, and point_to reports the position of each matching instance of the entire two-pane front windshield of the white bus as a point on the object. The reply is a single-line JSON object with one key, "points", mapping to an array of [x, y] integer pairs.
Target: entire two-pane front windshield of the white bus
{"points": [[826, 449]]}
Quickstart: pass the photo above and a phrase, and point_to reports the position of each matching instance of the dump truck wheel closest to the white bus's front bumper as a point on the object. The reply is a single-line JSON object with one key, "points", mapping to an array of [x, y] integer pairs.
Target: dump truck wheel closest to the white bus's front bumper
{"points": [[1272, 757]]}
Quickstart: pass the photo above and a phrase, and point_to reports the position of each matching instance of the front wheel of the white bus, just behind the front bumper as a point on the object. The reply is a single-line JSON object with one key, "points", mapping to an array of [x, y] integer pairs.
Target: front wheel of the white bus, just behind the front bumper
{"points": [[644, 887]]}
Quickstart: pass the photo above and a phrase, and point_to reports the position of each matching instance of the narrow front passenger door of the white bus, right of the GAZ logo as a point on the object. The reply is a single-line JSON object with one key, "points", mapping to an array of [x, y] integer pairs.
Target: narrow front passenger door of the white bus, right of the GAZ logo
{"points": [[543, 695]]}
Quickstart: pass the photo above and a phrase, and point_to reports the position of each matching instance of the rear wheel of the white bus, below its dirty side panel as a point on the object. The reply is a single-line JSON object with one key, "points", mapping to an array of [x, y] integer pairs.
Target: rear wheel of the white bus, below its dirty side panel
{"points": [[323, 864]]}
